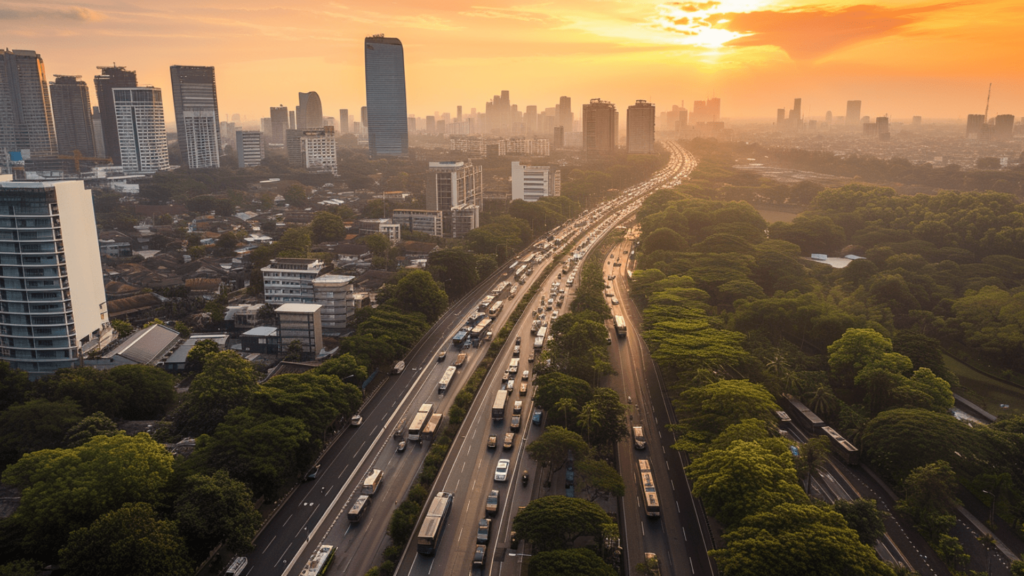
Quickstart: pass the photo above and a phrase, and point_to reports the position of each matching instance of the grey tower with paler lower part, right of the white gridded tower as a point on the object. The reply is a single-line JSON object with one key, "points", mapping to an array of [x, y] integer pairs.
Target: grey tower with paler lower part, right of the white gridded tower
{"points": [[196, 113]]}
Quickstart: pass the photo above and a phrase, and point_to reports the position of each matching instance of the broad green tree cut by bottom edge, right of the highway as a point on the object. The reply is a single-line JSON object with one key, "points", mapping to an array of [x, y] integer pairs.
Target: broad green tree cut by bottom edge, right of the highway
{"points": [[797, 539]]}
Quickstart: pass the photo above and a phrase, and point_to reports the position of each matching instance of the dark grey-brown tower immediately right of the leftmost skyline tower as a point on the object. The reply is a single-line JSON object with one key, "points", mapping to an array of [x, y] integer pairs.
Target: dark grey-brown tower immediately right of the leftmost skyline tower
{"points": [[73, 115]]}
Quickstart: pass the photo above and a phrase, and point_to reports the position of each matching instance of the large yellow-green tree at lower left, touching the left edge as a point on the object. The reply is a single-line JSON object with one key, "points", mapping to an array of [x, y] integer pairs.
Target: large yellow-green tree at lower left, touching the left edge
{"points": [[67, 489]]}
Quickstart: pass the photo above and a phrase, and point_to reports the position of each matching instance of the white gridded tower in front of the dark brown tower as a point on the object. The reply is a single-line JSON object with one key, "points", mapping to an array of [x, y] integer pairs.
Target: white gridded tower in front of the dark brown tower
{"points": [[142, 135]]}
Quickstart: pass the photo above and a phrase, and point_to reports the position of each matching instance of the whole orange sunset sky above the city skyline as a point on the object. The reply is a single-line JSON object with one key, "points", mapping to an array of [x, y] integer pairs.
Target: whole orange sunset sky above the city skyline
{"points": [[900, 58]]}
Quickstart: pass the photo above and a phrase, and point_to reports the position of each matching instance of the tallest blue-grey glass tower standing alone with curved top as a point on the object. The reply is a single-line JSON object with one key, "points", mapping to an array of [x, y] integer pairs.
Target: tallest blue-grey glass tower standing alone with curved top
{"points": [[387, 112]]}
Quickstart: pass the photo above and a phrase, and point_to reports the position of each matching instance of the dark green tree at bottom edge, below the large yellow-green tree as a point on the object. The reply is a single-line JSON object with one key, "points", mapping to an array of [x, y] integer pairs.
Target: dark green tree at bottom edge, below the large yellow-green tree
{"points": [[125, 543]]}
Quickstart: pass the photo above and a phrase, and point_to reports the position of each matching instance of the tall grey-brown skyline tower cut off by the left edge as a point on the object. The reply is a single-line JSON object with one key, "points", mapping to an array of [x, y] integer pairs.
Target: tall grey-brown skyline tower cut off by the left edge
{"points": [[26, 118]]}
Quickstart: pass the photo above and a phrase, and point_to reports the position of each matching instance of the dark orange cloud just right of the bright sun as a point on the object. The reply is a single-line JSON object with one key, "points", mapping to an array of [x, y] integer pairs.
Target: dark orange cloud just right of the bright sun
{"points": [[810, 33]]}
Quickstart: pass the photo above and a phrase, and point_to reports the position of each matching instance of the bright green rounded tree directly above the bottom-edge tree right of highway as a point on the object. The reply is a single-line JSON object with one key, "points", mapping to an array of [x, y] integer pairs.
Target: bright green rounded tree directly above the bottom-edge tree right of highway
{"points": [[743, 480]]}
